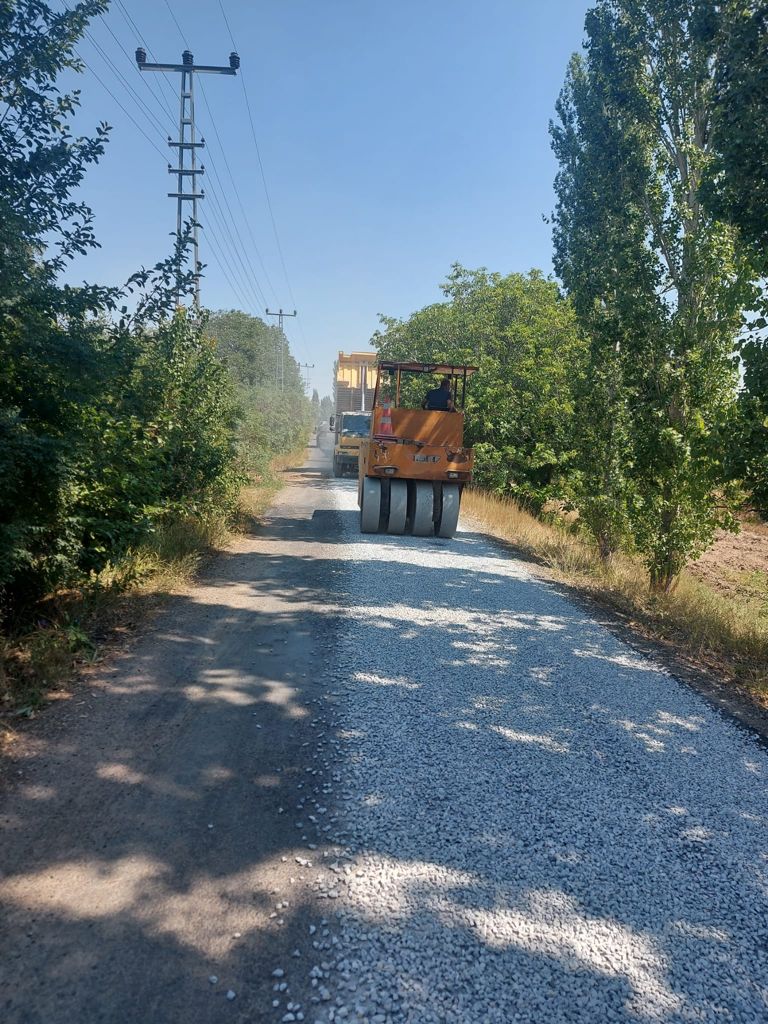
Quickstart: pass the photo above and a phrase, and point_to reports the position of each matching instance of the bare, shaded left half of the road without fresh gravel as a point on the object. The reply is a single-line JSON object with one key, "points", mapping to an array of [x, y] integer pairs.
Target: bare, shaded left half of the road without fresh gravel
{"points": [[134, 859]]}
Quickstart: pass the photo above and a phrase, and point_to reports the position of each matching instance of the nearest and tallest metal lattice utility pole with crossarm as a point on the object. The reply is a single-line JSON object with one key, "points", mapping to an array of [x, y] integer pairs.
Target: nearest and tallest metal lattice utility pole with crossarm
{"points": [[188, 144]]}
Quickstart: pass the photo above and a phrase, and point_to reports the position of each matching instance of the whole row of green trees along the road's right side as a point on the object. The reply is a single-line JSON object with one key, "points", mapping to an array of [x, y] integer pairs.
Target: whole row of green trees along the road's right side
{"points": [[638, 394]]}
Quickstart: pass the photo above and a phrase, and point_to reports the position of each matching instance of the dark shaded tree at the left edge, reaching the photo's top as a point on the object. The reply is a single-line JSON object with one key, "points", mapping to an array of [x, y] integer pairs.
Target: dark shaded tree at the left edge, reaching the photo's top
{"points": [[48, 351]]}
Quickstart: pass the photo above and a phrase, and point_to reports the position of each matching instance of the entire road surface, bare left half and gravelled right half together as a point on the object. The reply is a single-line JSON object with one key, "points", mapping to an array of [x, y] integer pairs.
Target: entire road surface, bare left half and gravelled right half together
{"points": [[450, 797]]}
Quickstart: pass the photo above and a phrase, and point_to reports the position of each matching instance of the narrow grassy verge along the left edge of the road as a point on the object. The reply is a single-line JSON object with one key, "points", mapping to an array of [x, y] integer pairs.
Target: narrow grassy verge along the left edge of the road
{"points": [[71, 628]]}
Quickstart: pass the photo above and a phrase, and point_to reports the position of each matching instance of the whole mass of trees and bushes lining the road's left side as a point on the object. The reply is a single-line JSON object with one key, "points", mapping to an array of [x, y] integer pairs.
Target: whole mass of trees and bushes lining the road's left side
{"points": [[119, 412]]}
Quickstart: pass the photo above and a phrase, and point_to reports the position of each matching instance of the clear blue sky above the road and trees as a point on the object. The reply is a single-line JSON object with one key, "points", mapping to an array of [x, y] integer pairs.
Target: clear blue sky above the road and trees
{"points": [[397, 138]]}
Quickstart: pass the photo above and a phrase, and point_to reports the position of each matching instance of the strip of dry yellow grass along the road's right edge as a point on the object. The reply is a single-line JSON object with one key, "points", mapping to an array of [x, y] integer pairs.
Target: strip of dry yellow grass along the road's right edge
{"points": [[723, 632]]}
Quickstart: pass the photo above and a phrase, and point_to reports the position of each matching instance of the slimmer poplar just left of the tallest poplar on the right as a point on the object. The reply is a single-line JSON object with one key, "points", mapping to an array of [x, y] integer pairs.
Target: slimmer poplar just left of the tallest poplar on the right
{"points": [[599, 248]]}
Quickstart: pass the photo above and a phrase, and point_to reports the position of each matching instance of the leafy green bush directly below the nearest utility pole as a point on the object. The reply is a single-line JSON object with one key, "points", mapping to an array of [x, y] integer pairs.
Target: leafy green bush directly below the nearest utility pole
{"points": [[159, 444]]}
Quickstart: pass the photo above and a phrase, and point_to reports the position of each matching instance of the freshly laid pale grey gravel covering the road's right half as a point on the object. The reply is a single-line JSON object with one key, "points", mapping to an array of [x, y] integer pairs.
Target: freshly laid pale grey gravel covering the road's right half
{"points": [[535, 824]]}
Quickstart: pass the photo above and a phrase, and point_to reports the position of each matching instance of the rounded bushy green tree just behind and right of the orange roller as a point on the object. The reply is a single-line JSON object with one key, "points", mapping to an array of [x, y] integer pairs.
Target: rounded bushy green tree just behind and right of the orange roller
{"points": [[521, 406]]}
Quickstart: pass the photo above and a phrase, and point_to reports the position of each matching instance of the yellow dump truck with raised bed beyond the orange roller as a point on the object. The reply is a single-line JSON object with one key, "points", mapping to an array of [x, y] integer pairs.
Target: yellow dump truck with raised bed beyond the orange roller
{"points": [[354, 394]]}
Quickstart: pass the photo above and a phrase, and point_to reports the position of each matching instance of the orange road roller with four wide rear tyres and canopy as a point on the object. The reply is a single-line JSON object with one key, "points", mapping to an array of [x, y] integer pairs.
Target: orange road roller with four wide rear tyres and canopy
{"points": [[414, 465]]}
